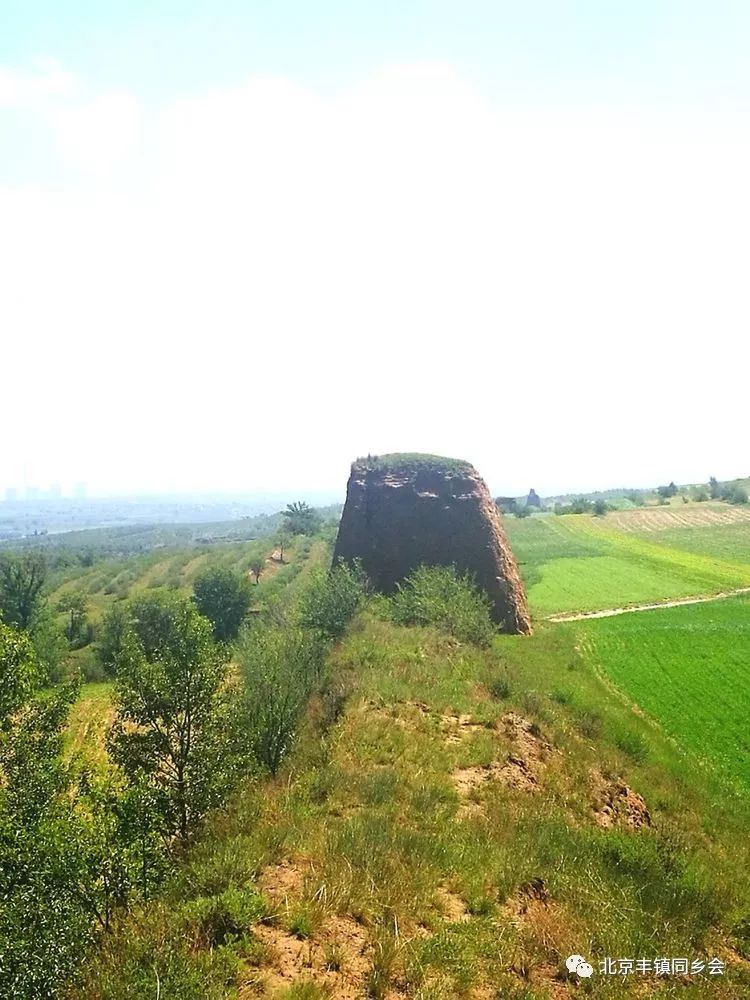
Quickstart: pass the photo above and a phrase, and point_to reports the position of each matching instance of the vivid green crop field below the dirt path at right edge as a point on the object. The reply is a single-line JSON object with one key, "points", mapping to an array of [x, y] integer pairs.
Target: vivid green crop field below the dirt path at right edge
{"points": [[688, 668]]}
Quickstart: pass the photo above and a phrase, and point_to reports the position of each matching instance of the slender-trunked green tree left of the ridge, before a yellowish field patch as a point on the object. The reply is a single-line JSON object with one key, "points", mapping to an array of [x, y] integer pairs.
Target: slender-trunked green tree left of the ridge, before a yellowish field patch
{"points": [[173, 726]]}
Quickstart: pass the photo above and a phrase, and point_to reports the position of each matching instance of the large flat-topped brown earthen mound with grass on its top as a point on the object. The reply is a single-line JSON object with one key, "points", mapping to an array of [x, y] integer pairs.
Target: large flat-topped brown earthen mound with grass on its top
{"points": [[403, 511]]}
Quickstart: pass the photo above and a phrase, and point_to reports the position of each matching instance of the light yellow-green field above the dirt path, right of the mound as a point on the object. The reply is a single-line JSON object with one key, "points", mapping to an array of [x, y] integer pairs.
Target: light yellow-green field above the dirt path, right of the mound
{"points": [[577, 563]]}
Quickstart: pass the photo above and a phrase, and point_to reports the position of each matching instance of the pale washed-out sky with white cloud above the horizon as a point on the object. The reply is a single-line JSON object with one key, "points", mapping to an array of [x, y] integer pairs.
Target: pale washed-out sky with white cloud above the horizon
{"points": [[242, 244]]}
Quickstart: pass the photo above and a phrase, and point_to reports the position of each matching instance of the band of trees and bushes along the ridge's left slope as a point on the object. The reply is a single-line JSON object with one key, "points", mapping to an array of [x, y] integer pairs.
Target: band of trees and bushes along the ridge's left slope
{"points": [[205, 695]]}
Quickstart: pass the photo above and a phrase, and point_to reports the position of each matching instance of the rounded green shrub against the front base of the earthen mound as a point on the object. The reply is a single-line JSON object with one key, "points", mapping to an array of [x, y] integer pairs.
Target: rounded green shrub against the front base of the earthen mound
{"points": [[438, 595]]}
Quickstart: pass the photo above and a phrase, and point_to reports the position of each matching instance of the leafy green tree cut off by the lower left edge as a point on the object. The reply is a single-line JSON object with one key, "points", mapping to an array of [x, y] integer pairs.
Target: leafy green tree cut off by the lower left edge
{"points": [[44, 921]]}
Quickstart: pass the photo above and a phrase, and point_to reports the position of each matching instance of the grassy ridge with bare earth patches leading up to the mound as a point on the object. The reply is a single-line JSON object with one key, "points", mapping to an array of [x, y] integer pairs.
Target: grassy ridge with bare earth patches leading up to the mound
{"points": [[374, 867]]}
